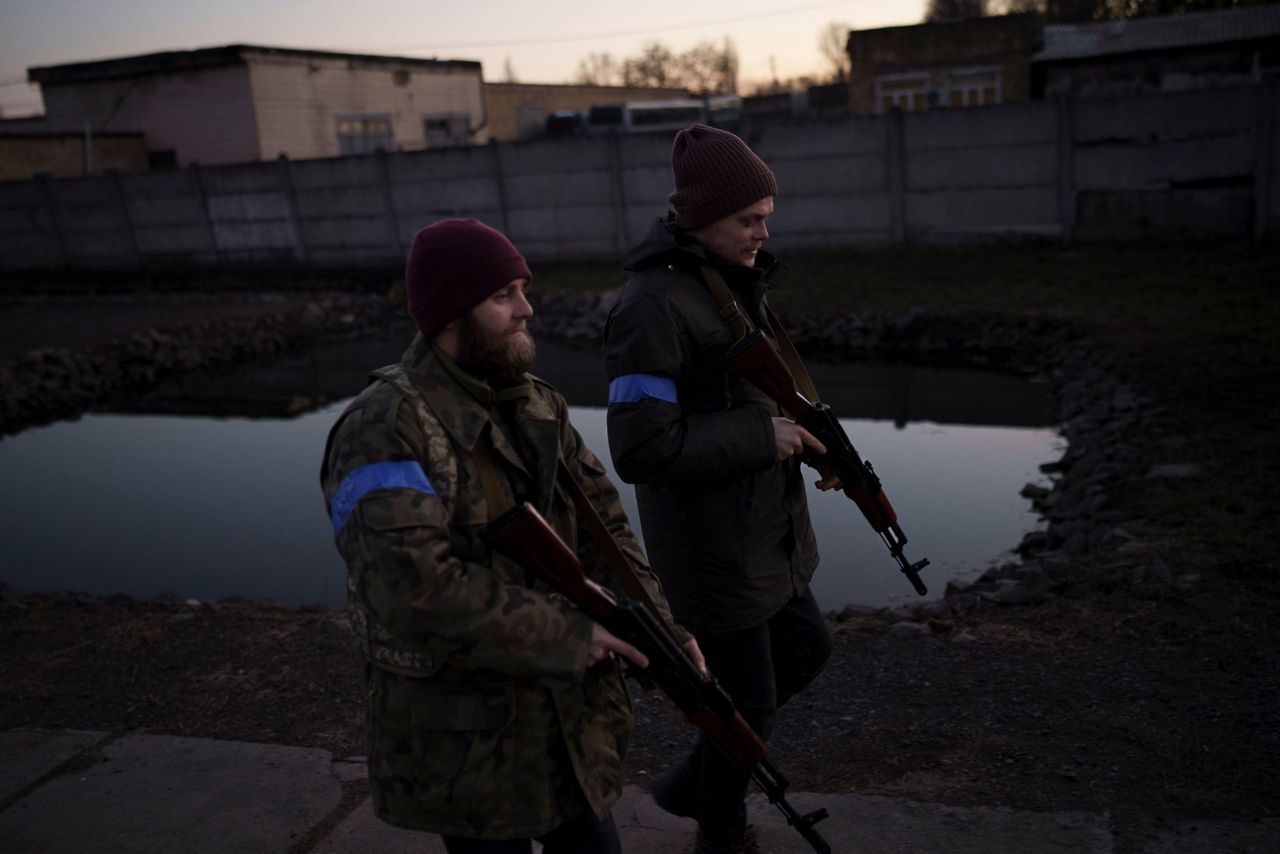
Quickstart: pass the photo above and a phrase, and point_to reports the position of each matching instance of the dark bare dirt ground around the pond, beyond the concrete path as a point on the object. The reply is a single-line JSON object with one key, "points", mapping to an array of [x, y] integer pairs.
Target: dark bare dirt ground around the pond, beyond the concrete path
{"points": [[1142, 704]]}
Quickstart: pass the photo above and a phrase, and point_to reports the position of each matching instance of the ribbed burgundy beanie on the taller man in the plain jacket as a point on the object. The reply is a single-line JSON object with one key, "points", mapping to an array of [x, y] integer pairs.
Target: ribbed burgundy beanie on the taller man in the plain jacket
{"points": [[716, 176]]}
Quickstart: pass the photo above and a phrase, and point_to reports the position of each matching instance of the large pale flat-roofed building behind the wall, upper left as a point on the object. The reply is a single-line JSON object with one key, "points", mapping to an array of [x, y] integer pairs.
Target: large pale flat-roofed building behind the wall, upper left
{"points": [[245, 103]]}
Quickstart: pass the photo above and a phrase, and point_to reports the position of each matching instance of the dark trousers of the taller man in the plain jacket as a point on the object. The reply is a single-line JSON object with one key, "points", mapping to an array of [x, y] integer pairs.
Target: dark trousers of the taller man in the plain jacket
{"points": [[761, 668]]}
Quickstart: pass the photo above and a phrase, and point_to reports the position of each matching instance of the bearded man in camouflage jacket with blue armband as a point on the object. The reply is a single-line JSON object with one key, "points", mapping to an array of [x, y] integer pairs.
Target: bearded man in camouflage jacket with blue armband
{"points": [[496, 713]]}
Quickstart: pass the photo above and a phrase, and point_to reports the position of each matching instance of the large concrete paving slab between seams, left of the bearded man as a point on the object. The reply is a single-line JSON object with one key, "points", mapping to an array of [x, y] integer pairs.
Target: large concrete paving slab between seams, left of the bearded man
{"points": [[163, 794]]}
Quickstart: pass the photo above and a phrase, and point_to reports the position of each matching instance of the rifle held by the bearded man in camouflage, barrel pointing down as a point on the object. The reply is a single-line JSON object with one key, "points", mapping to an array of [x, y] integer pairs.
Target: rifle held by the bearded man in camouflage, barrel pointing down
{"points": [[523, 536]]}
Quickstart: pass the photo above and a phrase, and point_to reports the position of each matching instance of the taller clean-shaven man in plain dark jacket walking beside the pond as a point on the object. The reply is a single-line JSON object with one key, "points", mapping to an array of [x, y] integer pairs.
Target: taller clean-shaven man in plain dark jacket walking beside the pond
{"points": [[717, 468]]}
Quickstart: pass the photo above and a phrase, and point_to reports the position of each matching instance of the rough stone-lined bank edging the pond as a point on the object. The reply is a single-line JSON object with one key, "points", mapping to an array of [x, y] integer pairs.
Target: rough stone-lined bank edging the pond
{"points": [[1113, 426]]}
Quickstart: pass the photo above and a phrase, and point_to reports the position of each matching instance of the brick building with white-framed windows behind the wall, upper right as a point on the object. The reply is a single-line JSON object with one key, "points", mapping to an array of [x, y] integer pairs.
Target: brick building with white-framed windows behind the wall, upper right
{"points": [[936, 66]]}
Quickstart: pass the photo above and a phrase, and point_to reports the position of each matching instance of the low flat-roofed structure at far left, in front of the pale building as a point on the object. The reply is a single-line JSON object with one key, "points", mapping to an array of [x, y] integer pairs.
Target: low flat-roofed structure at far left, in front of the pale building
{"points": [[70, 156]]}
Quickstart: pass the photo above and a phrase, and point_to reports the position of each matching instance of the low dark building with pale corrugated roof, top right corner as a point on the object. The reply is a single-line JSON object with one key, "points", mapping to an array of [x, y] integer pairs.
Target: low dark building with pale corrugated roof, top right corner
{"points": [[1160, 53]]}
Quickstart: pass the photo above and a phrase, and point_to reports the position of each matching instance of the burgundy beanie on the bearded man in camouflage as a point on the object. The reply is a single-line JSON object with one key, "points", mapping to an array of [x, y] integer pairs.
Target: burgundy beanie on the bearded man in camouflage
{"points": [[454, 267]]}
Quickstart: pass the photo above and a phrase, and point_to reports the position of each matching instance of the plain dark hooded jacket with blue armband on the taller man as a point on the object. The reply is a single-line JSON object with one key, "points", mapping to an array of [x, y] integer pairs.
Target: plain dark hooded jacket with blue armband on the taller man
{"points": [[726, 526]]}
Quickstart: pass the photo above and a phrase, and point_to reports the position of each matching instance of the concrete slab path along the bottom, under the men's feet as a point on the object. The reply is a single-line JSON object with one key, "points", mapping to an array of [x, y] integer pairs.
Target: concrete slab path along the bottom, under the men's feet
{"points": [[76, 793]]}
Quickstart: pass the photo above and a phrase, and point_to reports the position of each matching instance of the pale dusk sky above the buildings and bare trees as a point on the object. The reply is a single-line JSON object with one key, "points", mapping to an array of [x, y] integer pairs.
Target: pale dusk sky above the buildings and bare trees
{"points": [[542, 40]]}
